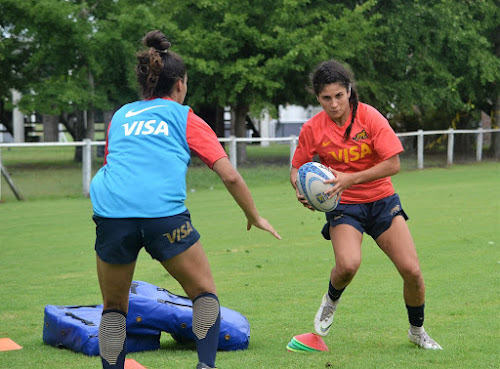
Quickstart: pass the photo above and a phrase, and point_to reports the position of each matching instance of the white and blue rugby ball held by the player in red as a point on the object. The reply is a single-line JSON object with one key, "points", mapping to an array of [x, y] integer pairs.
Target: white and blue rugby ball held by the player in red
{"points": [[310, 184]]}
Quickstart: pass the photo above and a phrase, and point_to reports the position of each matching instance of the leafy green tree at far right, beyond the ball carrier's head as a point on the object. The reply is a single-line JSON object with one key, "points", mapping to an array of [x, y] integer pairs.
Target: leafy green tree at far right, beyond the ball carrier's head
{"points": [[440, 57]]}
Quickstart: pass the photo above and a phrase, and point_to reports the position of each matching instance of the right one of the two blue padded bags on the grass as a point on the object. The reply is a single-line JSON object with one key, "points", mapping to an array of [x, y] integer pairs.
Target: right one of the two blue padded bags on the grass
{"points": [[152, 307]]}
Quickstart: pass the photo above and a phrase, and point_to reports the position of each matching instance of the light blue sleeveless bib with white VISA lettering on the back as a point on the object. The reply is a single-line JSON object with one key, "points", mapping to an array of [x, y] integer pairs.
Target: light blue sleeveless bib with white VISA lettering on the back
{"points": [[144, 175]]}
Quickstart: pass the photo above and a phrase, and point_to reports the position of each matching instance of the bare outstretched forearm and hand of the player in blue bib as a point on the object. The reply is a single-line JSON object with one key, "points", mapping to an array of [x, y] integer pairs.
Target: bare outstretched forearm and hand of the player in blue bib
{"points": [[241, 194]]}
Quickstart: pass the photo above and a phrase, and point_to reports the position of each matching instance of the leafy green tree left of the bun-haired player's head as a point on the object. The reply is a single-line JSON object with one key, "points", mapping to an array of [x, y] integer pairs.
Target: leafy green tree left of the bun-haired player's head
{"points": [[79, 58]]}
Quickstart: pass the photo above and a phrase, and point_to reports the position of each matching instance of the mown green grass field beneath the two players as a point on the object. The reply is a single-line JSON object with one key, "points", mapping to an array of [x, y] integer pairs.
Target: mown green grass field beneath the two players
{"points": [[47, 257]]}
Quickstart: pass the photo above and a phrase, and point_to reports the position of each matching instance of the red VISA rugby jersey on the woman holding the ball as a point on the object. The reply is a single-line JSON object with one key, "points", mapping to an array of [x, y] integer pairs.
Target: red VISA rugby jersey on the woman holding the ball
{"points": [[371, 141]]}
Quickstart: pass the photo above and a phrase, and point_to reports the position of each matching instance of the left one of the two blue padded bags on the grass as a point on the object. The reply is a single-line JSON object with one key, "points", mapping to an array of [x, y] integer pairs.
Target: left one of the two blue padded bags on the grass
{"points": [[77, 328]]}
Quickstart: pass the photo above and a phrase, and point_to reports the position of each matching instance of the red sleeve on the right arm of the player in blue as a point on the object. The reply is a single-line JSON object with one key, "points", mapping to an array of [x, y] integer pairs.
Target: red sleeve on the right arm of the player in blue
{"points": [[203, 141]]}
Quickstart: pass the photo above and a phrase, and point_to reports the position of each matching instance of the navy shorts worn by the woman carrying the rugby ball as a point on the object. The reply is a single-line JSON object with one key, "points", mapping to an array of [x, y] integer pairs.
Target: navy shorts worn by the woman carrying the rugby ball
{"points": [[374, 218]]}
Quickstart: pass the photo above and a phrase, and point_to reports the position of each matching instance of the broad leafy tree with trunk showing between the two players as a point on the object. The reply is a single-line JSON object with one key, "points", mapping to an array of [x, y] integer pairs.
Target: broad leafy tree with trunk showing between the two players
{"points": [[252, 54]]}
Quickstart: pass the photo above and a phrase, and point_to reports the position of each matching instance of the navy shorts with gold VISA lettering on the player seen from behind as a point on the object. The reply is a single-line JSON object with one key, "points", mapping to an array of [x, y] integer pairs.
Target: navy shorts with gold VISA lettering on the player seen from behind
{"points": [[119, 240]]}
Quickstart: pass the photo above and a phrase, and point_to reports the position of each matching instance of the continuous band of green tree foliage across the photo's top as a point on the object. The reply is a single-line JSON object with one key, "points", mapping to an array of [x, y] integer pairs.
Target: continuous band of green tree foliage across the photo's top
{"points": [[409, 57]]}
